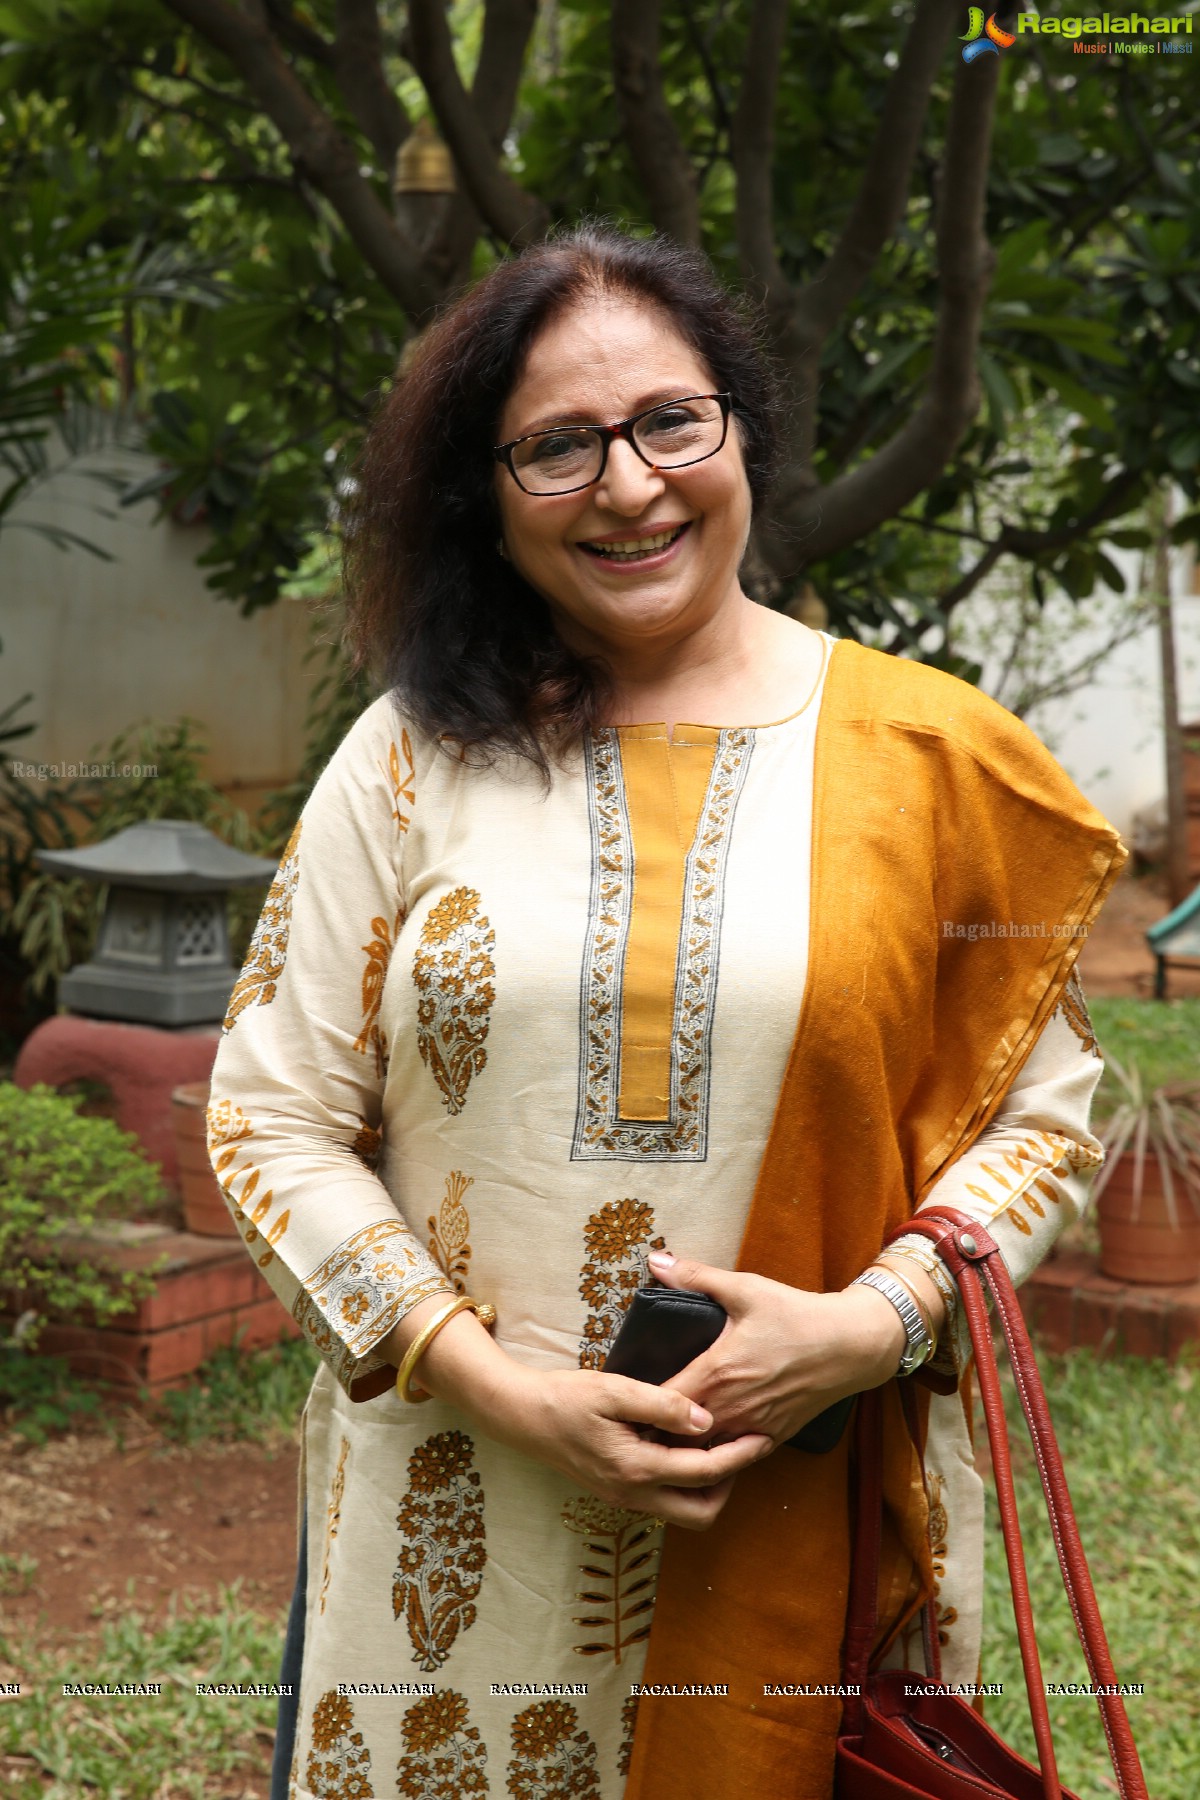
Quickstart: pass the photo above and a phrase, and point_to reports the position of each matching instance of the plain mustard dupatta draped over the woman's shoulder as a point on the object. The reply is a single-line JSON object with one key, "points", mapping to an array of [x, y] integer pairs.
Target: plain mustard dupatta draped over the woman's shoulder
{"points": [[956, 872]]}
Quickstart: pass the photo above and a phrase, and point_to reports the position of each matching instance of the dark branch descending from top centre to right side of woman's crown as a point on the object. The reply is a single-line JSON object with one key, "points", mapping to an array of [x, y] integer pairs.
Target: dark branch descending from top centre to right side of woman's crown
{"points": [[659, 157]]}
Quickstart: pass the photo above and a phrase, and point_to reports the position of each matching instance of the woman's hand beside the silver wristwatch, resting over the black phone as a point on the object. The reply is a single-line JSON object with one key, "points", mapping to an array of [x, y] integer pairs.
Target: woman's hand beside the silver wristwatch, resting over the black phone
{"points": [[785, 1354]]}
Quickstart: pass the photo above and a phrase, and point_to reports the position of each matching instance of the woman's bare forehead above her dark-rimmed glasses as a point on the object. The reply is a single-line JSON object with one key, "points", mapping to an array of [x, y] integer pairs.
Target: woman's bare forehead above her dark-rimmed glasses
{"points": [[604, 354]]}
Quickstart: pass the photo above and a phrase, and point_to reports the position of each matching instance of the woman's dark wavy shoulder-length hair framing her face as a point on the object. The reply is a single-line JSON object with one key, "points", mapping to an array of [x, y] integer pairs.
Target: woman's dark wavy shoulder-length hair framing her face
{"points": [[463, 642]]}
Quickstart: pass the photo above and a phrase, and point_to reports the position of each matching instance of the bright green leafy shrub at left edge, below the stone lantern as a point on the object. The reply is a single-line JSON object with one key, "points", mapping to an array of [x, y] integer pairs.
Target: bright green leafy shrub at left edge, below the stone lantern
{"points": [[62, 1176]]}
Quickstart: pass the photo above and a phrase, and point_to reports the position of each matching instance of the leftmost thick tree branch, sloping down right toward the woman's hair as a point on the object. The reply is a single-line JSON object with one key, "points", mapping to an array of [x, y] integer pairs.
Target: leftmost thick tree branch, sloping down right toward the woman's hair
{"points": [[325, 156]]}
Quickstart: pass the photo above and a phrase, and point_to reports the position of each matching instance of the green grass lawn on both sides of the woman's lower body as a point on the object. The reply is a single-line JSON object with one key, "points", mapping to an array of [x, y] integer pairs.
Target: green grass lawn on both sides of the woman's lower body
{"points": [[1131, 1439]]}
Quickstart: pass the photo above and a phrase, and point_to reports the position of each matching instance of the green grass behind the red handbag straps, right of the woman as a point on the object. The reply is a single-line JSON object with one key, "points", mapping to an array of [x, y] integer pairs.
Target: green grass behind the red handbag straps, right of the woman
{"points": [[1131, 1439]]}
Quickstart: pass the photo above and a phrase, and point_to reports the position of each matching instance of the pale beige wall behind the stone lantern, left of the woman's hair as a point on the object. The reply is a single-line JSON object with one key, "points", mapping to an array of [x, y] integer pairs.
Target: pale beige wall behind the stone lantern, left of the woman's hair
{"points": [[107, 645]]}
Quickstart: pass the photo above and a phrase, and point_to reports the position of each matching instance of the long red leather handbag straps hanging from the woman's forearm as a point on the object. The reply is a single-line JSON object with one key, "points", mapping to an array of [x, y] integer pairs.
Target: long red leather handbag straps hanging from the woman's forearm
{"points": [[974, 1261]]}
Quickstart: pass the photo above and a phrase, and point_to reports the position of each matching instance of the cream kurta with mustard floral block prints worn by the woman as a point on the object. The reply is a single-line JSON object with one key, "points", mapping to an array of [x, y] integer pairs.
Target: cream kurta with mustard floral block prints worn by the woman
{"points": [[505, 1041]]}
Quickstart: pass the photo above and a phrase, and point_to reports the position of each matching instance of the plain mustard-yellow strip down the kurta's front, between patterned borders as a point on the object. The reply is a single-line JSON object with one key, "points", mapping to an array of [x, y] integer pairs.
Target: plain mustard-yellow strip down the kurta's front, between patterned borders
{"points": [[665, 786]]}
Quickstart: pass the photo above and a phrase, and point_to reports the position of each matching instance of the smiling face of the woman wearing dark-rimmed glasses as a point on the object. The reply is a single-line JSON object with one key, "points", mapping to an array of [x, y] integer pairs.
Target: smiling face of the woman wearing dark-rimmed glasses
{"points": [[640, 561]]}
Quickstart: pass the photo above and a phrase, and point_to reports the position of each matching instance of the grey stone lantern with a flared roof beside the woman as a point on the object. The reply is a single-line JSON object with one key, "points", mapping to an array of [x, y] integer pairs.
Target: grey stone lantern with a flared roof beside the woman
{"points": [[163, 951]]}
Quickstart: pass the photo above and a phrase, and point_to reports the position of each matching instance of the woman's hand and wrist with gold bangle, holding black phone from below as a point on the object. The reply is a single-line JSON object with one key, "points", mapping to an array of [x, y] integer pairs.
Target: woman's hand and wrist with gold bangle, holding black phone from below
{"points": [[593, 1428]]}
